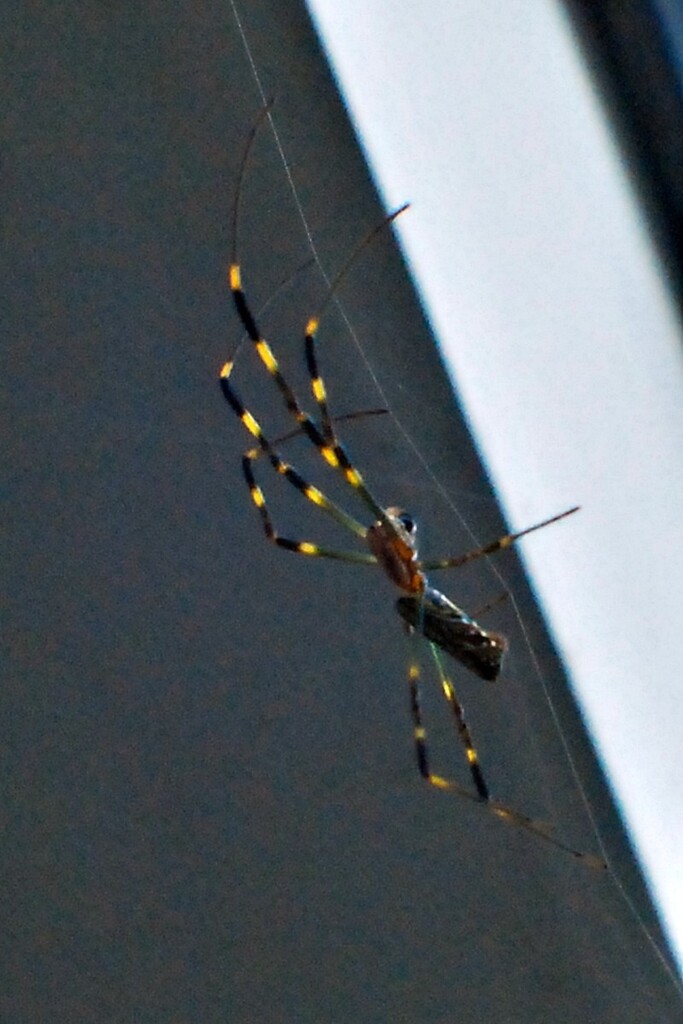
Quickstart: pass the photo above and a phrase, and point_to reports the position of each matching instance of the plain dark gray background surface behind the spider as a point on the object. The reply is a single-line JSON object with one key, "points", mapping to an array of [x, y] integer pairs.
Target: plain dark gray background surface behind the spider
{"points": [[211, 808]]}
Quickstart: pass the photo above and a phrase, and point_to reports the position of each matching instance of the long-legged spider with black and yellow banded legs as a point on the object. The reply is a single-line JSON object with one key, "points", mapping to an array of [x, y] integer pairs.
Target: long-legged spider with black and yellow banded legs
{"points": [[391, 540]]}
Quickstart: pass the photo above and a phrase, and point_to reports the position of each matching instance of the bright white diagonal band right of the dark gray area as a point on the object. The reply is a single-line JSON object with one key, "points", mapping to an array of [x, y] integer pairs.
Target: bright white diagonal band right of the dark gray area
{"points": [[534, 263]]}
